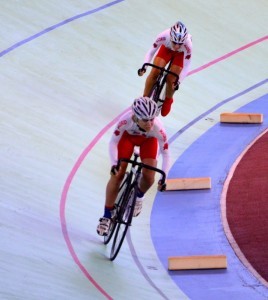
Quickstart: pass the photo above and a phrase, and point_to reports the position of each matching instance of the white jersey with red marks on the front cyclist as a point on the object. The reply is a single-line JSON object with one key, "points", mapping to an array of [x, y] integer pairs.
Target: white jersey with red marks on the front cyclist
{"points": [[126, 123]]}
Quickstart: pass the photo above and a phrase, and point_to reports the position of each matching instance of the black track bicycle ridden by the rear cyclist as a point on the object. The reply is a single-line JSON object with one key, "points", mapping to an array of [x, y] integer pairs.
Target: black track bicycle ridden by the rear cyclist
{"points": [[157, 92]]}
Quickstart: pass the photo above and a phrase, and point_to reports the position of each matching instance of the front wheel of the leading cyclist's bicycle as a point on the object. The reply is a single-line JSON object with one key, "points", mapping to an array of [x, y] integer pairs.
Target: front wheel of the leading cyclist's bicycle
{"points": [[124, 221]]}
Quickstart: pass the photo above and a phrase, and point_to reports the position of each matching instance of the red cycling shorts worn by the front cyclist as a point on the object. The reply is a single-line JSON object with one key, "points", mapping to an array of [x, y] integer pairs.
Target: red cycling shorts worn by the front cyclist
{"points": [[148, 146]]}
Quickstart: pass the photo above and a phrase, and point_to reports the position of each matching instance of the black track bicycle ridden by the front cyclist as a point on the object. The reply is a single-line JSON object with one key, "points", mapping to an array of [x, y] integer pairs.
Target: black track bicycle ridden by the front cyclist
{"points": [[125, 203]]}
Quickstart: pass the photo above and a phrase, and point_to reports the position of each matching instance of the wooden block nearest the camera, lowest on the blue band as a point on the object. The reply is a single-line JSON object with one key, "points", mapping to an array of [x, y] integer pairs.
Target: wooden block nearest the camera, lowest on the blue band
{"points": [[197, 262]]}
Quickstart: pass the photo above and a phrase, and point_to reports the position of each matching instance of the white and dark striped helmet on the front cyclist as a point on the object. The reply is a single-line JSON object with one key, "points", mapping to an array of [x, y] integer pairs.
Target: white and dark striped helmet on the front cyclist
{"points": [[144, 108]]}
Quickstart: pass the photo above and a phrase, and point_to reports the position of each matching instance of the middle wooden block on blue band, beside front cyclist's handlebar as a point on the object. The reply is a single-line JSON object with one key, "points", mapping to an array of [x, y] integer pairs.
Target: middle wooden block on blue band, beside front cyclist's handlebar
{"points": [[197, 183]]}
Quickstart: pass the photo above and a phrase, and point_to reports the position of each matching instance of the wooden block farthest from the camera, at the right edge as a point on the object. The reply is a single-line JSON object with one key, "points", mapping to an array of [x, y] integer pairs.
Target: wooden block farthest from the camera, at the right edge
{"points": [[241, 118]]}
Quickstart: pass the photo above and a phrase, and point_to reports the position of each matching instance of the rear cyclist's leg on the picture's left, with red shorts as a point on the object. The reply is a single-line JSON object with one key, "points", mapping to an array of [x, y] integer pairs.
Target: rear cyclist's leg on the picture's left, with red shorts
{"points": [[161, 59]]}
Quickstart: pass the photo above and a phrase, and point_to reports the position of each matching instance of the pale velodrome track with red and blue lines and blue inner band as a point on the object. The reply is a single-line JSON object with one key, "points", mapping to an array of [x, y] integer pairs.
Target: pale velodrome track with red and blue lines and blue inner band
{"points": [[68, 72]]}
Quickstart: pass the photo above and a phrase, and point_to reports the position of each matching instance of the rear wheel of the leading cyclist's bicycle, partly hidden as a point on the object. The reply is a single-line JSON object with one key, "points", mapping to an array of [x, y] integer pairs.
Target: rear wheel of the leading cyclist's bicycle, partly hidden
{"points": [[118, 201]]}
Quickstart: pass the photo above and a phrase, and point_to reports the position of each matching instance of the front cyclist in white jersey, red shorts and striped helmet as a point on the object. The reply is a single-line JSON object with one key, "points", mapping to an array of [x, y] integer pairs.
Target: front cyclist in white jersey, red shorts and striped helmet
{"points": [[138, 127]]}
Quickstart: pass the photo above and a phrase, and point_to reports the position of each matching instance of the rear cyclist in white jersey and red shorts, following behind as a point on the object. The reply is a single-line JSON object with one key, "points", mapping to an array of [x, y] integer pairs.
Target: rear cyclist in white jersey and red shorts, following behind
{"points": [[173, 43]]}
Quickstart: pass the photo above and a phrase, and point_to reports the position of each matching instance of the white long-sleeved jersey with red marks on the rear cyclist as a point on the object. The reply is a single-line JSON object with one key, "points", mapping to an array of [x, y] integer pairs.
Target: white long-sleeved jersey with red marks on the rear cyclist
{"points": [[164, 39]]}
